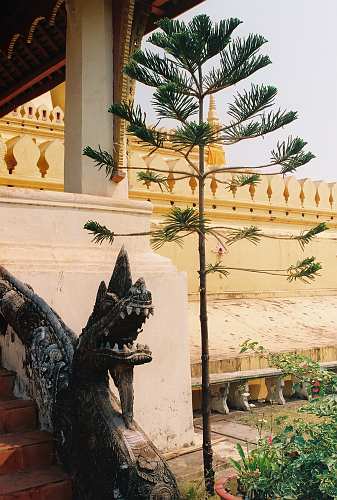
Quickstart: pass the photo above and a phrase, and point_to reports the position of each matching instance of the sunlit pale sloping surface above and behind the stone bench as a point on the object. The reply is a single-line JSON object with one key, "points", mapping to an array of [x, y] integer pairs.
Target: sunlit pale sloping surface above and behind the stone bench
{"points": [[278, 324]]}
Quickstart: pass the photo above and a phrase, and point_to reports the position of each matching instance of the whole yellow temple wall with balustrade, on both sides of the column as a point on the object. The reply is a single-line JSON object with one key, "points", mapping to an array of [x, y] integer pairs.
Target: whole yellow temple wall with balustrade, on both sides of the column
{"points": [[31, 142]]}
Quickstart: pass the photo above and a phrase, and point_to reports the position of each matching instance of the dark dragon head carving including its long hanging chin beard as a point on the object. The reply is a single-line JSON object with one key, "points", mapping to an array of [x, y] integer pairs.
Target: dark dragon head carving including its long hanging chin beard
{"points": [[108, 342]]}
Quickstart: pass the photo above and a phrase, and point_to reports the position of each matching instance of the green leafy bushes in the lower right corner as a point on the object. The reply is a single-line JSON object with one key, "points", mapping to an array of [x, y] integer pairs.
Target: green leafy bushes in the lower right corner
{"points": [[300, 461]]}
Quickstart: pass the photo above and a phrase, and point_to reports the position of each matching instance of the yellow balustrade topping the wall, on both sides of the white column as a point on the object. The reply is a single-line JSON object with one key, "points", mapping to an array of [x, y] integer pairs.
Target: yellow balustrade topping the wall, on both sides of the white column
{"points": [[32, 155]]}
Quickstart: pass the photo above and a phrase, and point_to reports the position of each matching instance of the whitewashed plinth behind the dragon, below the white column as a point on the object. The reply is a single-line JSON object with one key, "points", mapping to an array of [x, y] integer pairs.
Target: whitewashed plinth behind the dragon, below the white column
{"points": [[43, 243]]}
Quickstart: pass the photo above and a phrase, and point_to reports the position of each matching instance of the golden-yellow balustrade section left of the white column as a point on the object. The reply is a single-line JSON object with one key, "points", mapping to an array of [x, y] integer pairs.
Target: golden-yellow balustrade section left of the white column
{"points": [[31, 148]]}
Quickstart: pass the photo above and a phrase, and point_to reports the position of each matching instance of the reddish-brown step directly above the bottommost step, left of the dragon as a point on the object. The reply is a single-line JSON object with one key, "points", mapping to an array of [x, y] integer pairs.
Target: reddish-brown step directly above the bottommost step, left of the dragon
{"points": [[25, 450]]}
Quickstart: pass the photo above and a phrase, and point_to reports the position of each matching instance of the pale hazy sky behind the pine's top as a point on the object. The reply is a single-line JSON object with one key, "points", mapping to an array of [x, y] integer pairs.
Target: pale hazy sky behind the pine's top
{"points": [[302, 46]]}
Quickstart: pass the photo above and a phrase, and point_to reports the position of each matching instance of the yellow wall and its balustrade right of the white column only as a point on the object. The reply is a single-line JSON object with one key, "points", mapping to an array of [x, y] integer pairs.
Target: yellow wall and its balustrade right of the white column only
{"points": [[278, 206]]}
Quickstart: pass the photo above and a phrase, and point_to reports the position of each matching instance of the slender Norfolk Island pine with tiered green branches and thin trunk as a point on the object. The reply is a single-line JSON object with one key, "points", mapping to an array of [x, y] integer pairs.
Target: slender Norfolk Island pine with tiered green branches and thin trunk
{"points": [[181, 84]]}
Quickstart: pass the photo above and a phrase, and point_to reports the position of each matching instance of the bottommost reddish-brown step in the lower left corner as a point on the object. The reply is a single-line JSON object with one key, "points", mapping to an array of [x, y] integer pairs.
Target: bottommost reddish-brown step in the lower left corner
{"points": [[39, 484]]}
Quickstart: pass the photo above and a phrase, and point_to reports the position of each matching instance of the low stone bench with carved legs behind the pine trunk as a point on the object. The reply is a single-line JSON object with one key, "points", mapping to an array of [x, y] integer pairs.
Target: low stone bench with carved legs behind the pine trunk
{"points": [[231, 389]]}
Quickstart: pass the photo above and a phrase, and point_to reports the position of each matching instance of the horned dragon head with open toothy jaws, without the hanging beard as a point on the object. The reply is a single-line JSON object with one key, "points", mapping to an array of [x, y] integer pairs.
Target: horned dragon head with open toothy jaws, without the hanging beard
{"points": [[119, 313]]}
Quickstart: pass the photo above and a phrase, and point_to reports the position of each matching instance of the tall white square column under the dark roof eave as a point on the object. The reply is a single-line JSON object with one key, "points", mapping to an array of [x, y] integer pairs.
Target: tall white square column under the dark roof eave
{"points": [[89, 92]]}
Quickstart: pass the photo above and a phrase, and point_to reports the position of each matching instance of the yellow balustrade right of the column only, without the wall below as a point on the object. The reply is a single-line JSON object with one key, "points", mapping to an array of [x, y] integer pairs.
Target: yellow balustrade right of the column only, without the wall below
{"points": [[273, 196]]}
